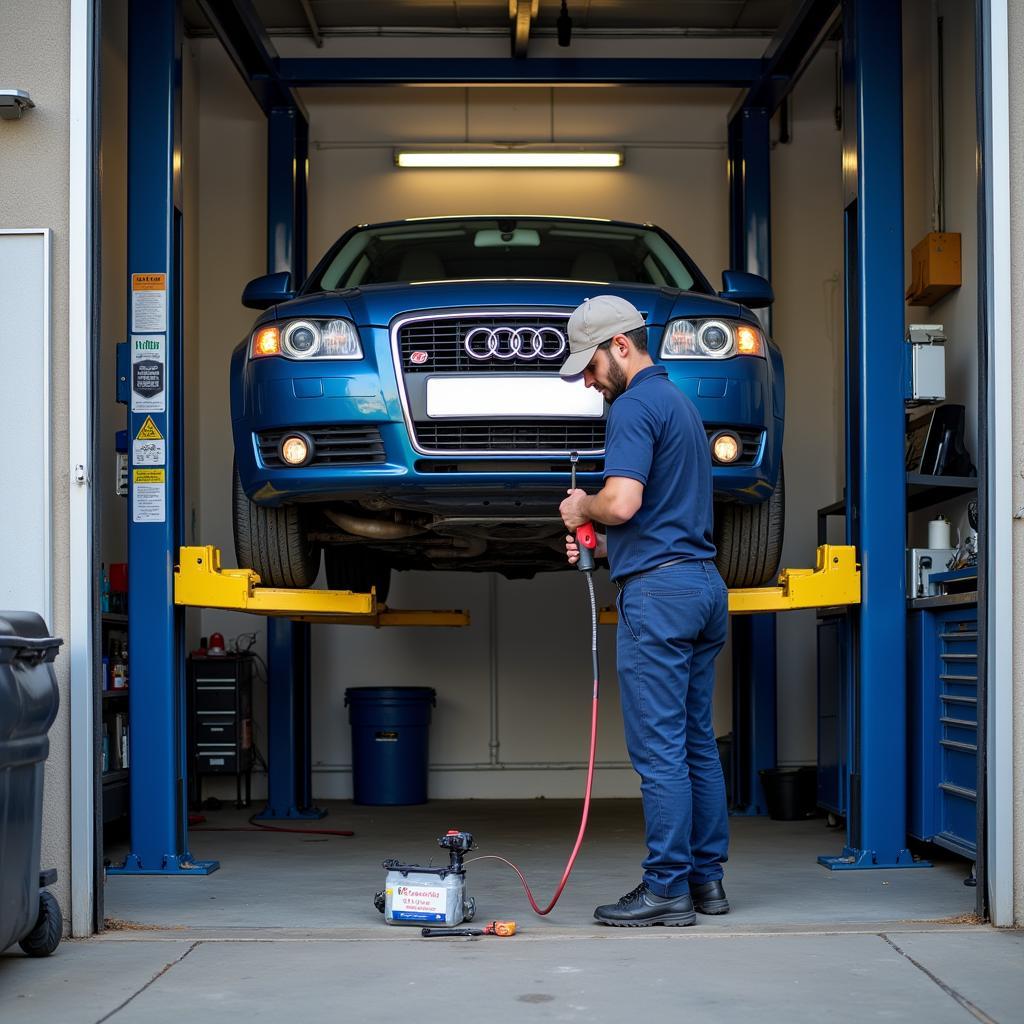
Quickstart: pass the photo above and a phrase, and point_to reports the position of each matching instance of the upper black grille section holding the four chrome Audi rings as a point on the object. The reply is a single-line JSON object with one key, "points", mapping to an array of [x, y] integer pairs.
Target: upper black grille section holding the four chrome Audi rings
{"points": [[513, 345]]}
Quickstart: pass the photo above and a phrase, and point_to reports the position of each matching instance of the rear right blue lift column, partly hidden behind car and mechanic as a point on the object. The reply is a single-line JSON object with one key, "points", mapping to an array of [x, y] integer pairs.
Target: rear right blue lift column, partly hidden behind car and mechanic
{"points": [[754, 667]]}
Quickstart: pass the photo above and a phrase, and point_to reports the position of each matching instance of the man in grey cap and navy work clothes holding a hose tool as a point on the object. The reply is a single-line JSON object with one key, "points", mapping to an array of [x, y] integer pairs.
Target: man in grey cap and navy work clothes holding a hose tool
{"points": [[673, 610]]}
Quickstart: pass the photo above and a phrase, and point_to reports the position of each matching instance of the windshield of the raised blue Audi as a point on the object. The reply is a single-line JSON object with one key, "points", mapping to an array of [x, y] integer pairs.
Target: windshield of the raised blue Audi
{"points": [[482, 249]]}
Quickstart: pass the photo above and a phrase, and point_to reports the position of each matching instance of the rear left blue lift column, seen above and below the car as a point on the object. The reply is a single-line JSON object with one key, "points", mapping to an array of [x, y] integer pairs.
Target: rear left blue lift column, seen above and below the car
{"points": [[289, 756]]}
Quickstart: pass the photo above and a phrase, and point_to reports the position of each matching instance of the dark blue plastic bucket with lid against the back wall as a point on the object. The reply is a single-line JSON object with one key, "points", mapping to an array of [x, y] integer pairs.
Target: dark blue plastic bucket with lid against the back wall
{"points": [[391, 727]]}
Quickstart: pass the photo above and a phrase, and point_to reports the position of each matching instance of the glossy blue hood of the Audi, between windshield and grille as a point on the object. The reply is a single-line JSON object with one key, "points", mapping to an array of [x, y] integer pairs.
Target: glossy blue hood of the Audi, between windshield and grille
{"points": [[377, 306]]}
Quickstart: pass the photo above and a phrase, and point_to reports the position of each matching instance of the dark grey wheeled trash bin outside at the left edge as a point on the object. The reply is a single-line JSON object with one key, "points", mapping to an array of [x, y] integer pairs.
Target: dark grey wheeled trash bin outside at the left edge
{"points": [[29, 700]]}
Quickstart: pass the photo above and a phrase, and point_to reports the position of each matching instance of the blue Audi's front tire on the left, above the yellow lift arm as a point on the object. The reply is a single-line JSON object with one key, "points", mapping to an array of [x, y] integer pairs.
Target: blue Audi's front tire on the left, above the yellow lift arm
{"points": [[274, 542]]}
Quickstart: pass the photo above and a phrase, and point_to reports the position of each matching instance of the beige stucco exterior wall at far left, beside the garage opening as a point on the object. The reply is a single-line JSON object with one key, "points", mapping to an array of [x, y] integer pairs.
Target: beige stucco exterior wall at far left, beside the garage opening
{"points": [[34, 173]]}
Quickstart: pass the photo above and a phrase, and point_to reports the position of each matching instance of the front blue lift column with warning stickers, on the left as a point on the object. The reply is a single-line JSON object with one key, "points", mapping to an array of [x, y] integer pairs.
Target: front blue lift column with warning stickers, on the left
{"points": [[159, 807]]}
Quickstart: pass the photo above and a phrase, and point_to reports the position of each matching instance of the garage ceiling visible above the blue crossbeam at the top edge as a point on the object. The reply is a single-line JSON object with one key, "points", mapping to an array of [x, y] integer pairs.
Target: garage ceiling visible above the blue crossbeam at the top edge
{"points": [[333, 17]]}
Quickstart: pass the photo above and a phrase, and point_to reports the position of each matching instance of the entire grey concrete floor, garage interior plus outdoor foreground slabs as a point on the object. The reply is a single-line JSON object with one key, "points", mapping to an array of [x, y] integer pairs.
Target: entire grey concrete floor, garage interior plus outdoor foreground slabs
{"points": [[286, 931]]}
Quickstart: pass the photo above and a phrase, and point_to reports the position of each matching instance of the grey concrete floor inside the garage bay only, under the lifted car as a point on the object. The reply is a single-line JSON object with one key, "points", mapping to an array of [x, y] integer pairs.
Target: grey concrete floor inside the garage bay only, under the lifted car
{"points": [[312, 884]]}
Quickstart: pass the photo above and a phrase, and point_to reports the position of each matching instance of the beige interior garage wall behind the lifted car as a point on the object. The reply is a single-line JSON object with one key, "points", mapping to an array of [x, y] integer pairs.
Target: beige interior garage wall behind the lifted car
{"points": [[675, 176]]}
